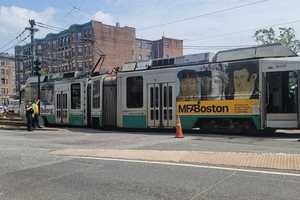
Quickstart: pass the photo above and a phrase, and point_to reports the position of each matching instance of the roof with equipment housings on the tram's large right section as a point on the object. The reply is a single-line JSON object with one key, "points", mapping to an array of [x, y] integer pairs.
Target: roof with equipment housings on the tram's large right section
{"points": [[240, 54]]}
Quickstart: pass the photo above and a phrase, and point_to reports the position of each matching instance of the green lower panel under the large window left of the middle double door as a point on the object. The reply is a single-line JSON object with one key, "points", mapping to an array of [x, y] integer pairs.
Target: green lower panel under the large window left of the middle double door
{"points": [[134, 121]]}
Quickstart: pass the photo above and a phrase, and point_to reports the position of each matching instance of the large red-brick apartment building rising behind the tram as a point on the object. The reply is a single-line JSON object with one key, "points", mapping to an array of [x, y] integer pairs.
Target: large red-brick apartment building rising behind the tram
{"points": [[79, 48]]}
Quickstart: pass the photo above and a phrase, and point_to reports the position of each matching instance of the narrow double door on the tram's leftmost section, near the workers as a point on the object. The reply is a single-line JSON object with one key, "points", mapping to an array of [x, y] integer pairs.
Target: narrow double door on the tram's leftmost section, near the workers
{"points": [[61, 107]]}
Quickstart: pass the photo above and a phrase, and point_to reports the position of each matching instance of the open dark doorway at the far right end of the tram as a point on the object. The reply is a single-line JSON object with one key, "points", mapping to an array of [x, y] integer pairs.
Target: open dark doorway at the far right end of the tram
{"points": [[281, 99]]}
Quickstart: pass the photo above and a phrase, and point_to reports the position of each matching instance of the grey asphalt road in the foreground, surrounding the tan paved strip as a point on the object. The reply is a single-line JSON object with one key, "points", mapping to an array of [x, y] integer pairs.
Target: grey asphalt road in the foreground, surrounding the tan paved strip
{"points": [[28, 171]]}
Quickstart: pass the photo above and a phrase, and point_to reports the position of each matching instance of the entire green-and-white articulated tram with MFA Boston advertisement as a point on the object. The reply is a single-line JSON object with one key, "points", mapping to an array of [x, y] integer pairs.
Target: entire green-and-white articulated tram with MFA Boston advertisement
{"points": [[250, 88]]}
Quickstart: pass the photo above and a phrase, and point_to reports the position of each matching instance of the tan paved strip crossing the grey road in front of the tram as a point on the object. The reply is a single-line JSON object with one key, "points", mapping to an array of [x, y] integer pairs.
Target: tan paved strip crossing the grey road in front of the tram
{"points": [[278, 161]]}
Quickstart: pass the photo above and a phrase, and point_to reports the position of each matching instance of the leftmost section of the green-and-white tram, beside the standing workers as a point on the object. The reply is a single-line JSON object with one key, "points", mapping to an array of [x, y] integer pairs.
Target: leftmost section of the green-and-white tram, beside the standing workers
{"points": [[63, 98]]}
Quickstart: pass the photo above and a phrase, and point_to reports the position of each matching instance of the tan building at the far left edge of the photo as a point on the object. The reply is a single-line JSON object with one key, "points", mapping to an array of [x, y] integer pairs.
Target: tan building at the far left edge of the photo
{"points": [[7, 78]]}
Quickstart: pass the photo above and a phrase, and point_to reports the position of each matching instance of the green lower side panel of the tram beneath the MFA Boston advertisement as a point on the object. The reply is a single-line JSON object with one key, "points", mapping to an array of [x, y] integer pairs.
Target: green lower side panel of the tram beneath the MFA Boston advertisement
{"points": [[188, 122]]}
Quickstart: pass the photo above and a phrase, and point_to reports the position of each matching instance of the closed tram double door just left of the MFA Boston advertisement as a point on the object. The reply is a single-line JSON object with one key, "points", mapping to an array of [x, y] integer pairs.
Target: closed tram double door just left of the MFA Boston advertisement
{"points": [[161, 105]]}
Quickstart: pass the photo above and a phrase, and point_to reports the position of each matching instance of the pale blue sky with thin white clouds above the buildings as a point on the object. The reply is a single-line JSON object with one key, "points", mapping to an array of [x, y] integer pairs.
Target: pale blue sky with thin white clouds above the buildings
{"points": [[151, 18]]}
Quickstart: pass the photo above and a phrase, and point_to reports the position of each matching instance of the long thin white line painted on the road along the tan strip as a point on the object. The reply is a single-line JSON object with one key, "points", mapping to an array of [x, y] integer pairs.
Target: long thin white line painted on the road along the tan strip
{"points": [[191, 165]]}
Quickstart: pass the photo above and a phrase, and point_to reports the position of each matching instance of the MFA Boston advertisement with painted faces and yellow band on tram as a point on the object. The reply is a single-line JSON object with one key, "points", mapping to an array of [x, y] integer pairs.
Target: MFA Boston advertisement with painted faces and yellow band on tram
{"points": [[219, 89]]}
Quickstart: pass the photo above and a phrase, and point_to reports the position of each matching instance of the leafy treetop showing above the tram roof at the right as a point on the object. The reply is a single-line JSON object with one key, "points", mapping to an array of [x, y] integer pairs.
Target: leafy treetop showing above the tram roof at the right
{"points": [[286, 37]]}
